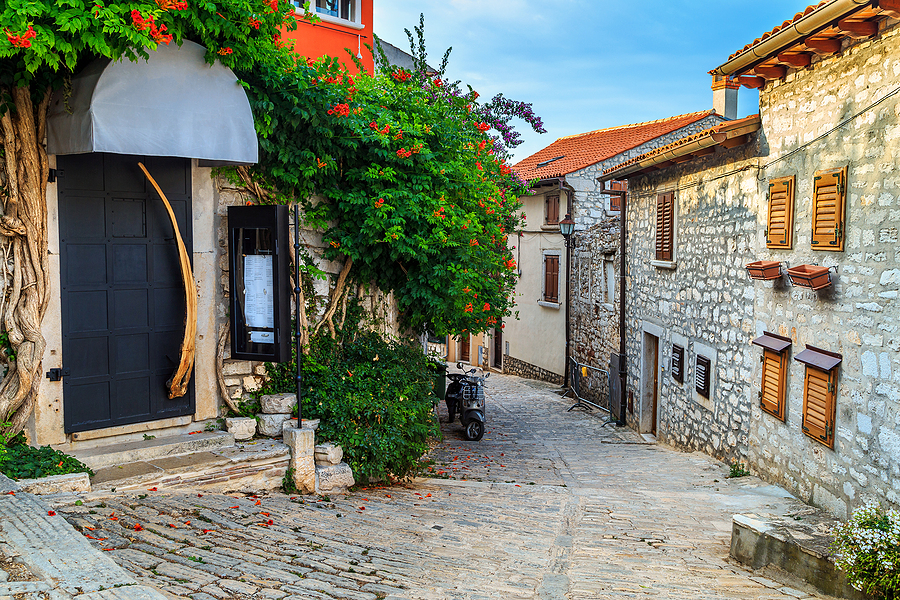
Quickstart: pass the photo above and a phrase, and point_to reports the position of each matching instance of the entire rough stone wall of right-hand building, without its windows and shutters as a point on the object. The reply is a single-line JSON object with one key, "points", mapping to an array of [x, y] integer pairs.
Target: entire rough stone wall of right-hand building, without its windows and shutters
{"points": [[836, 113]]}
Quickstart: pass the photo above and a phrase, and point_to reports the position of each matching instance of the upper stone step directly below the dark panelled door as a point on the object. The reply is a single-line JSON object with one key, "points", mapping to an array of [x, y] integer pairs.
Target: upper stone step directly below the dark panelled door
{"points": [[141, 450]]}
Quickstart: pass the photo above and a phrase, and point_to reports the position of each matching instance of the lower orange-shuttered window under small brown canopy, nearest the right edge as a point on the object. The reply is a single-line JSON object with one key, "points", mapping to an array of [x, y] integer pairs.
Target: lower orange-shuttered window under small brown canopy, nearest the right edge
{"points": [[819, 393]]}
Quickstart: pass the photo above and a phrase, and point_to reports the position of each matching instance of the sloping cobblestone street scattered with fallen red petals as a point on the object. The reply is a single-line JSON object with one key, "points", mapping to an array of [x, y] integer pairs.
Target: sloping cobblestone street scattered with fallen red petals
{"points": [[548, 505]]}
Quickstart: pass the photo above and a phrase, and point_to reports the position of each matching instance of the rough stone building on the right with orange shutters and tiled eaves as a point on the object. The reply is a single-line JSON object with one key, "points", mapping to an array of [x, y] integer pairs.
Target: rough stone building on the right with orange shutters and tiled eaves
{"points": [[796, 374]]}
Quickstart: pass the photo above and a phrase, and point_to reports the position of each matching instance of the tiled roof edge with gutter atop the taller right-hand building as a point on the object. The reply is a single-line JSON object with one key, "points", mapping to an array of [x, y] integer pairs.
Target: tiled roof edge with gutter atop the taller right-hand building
{"points": [[789, 36]]}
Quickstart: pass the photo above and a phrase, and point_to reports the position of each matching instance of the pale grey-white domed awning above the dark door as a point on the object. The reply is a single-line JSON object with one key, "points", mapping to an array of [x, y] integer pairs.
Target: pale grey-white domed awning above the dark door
{"points": [[174, 104]]}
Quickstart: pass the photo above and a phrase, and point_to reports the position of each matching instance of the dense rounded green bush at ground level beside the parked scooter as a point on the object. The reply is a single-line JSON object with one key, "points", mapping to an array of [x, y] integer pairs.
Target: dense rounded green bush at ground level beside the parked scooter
{"points": [[373, 396]]}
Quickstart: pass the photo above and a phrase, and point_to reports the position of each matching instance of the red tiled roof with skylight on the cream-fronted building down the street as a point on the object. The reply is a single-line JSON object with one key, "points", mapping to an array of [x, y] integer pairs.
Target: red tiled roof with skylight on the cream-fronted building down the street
{"points": [[575, 152]]}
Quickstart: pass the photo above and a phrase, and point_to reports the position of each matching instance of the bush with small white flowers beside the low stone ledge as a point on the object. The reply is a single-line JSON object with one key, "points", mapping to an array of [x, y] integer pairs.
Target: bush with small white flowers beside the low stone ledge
{"points": [[867, 549]]}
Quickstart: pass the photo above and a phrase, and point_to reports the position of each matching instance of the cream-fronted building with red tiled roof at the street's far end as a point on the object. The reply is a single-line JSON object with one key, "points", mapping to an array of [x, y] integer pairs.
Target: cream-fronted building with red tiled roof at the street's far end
{"points": [[565, 182]]}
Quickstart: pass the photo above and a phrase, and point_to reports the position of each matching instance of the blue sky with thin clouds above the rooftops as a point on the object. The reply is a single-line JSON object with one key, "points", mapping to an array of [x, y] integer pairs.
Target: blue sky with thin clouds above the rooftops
{"points": [[588, 64]]}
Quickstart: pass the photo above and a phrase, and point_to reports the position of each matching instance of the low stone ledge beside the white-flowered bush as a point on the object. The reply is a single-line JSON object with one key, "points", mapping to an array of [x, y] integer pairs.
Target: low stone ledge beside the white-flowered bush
{"points": [[792, 549]]}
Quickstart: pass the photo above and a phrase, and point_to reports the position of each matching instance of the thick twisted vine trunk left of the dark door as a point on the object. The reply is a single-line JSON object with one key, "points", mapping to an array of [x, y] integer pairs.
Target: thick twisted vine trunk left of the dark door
{"points": [[24, 264]]}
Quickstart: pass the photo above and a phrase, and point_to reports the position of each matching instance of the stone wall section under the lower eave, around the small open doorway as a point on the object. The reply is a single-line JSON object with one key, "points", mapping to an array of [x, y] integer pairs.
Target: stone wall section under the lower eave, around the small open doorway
{"points": [[702, 301]]}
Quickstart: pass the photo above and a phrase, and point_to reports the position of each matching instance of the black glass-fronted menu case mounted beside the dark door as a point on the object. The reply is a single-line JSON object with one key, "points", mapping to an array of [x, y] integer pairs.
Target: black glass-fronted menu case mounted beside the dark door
{"points": [[258, 246]]}
